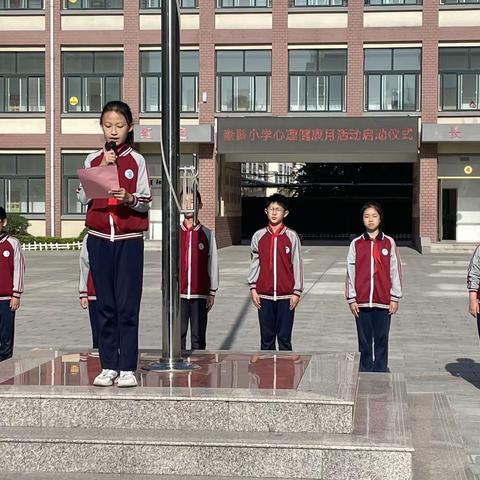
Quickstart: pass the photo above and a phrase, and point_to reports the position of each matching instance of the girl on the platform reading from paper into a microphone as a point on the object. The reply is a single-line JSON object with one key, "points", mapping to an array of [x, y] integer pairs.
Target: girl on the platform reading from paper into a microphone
{"points": [[115, 247]]}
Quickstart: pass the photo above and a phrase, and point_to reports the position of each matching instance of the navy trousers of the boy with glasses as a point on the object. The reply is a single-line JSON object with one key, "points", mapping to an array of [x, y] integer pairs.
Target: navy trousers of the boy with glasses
{"points": [[276, 323]]}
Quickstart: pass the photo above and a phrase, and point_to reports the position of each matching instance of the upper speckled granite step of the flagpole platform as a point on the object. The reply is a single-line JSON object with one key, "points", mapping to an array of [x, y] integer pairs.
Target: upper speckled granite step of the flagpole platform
{"points": [[322, 402]]}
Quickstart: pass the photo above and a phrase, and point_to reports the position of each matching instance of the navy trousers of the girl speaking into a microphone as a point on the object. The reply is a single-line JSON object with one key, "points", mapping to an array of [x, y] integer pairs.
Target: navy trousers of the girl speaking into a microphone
{"points": [[117, 273]]}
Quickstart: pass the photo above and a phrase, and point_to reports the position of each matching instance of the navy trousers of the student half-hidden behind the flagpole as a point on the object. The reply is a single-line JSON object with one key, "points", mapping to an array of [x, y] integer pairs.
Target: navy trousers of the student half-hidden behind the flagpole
{"points": [[194, 313]]}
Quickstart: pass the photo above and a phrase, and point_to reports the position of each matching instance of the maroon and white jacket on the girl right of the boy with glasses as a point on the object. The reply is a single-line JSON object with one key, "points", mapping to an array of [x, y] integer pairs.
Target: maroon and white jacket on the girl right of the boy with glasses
{"points": [[374, 272]]}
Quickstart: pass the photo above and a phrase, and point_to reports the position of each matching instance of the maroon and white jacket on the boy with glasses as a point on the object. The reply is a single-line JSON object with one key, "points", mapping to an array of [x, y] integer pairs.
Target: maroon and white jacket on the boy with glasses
{"points": [[276, 271]]}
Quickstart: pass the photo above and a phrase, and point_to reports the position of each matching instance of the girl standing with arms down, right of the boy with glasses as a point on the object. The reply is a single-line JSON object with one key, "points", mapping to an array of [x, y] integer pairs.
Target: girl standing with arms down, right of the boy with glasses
{"points": [[373, 288]]}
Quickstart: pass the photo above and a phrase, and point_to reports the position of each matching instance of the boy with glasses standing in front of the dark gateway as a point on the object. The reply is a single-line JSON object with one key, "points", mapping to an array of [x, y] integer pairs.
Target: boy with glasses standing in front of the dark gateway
{"points": [[276, 276]]}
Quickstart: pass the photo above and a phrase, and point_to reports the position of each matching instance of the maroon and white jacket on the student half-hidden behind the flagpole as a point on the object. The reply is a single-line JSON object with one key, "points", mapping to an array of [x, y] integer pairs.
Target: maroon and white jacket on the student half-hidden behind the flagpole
{"points": [[198, 262]]}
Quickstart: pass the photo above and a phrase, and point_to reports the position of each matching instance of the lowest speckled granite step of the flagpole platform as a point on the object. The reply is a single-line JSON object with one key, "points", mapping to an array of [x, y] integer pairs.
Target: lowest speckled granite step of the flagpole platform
{"points": [[380, 447]]}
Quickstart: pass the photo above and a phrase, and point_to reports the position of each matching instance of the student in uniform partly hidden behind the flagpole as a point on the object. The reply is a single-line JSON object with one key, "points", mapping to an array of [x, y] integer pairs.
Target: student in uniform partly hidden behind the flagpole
{"points": [[198, 278]]}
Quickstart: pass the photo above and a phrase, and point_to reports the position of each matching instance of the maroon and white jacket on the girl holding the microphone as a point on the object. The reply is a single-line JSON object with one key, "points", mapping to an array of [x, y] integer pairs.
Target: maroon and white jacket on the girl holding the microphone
{"points": [[106, 217]]}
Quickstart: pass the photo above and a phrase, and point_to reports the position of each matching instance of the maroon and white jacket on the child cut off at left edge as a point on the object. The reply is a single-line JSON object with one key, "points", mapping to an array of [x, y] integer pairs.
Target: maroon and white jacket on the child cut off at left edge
{"points": [[12, 267]]}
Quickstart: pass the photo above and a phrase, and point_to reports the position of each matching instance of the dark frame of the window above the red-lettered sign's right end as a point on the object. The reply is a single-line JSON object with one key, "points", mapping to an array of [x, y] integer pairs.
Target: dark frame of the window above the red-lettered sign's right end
{"points": [[401, 72]]}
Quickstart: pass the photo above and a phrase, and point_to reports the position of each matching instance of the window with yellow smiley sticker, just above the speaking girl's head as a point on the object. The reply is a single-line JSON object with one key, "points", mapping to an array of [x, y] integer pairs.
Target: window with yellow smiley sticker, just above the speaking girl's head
{"points": [[91, 79]]}
